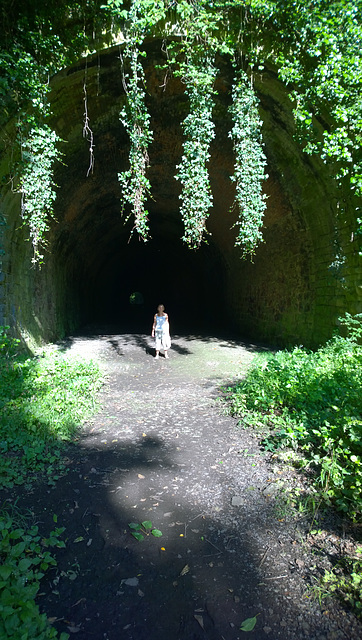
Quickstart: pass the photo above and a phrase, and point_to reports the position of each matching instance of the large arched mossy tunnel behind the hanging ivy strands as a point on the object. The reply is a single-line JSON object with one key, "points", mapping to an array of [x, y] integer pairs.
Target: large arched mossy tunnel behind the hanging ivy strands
{"points": [[302, 277]]}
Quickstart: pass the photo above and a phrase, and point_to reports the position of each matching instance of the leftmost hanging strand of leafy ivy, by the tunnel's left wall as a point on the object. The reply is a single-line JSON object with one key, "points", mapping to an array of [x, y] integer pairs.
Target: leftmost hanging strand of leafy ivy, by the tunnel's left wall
{"points": [[39, 151]]}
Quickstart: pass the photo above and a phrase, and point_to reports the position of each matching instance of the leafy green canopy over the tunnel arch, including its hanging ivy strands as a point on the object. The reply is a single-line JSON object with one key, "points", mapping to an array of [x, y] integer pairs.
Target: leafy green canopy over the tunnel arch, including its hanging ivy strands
{"points": [[315, 47]]}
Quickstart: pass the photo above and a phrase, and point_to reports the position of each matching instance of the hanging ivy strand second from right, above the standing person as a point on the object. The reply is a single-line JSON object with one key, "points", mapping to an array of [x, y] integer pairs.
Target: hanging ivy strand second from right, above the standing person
{"points": [[198, 127]]}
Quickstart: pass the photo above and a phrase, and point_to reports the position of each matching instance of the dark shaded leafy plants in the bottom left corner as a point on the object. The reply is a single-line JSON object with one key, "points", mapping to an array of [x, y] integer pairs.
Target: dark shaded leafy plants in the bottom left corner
{"points": [[24, 560]]}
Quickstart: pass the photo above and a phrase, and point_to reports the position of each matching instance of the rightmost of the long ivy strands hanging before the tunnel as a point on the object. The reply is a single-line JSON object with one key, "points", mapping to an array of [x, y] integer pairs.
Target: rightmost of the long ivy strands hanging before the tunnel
{"points": [[250, 162]]}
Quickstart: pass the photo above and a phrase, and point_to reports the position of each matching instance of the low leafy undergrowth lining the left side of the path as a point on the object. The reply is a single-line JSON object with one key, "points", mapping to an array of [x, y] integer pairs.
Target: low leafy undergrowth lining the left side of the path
{"points": [[43, 400]]}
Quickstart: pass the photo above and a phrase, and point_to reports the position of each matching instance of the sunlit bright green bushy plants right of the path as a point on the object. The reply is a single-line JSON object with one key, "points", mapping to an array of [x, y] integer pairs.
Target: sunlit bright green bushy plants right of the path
{"points": [[311, 403]]}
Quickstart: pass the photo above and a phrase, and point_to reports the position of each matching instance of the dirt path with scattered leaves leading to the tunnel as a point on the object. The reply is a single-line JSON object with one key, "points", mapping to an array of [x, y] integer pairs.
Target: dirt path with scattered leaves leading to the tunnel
{"points": [[162, 450]]}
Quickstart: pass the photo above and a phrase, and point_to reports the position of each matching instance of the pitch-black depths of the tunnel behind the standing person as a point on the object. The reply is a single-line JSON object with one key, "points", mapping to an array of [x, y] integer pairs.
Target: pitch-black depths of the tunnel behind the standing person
{"points": [[190, 284]]}
